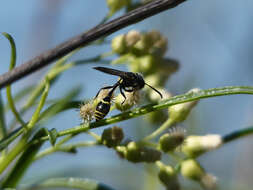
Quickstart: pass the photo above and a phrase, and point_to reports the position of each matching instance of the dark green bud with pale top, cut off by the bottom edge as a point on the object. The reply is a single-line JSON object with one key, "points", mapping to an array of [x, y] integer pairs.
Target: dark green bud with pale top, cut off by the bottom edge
{"points": [[168, 176]]}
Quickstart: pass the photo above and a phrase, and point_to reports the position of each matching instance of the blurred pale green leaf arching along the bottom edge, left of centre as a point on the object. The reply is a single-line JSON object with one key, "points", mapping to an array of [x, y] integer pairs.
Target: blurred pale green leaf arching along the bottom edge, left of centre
{"points": [[76, 183]]}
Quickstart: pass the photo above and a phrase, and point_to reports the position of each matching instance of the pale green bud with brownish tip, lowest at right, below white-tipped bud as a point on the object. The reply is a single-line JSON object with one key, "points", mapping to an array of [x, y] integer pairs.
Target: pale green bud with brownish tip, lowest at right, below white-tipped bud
{"points": [[191, 169]]}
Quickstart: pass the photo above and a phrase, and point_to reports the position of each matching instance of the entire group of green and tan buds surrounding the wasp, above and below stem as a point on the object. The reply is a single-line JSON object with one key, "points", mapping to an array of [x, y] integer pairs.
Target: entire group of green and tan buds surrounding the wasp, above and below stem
{"points": [[144, 52]]}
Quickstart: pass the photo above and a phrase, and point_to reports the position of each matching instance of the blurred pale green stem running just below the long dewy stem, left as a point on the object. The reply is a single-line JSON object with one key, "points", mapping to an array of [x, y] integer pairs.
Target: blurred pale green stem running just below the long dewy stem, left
{"points": [[64, 148]]}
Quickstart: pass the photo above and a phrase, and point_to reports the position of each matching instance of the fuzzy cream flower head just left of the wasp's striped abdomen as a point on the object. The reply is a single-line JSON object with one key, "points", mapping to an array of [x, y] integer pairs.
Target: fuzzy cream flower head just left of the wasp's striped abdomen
{"points": [[87, 111]]}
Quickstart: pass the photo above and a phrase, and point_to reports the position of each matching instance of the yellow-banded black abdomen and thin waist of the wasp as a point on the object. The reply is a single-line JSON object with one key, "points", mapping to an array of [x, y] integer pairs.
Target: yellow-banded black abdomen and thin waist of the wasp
{"points": [[103, 107]]}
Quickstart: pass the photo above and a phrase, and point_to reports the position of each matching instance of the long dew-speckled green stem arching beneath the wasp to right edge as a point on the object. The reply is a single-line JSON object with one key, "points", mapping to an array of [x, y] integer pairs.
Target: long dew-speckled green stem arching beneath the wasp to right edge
{"points": [[157, 106]]}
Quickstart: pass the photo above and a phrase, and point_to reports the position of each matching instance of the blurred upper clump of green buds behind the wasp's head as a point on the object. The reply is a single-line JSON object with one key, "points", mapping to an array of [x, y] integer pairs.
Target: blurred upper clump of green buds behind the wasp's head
{"points": [[144, 52]]}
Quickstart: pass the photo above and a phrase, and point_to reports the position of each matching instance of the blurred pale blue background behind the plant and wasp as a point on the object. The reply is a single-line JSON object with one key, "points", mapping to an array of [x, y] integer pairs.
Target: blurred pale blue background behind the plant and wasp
{"points": [[212, 41]]}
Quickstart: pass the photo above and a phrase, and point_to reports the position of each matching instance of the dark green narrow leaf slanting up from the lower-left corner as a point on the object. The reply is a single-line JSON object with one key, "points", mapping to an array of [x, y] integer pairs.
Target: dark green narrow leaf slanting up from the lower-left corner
{"points": [[24, 161]]}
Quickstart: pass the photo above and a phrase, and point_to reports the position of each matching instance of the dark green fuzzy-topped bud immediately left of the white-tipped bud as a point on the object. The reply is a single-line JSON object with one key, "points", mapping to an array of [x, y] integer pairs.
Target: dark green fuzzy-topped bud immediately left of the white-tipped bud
{"points": [[170, 141]]}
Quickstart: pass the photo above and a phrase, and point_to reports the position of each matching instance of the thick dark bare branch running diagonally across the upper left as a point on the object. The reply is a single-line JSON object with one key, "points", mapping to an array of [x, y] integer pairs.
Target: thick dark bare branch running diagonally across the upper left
{"points": [[83, 39]]}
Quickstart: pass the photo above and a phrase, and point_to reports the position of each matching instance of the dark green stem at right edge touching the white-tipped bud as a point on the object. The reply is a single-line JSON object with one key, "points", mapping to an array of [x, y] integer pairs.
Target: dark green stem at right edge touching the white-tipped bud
{"points": [[237, 134]]}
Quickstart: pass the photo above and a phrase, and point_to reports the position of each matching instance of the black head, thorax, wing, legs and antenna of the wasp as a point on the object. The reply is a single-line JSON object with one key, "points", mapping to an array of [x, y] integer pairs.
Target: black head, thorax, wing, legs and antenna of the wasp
{"points": [[128, 81]]}
